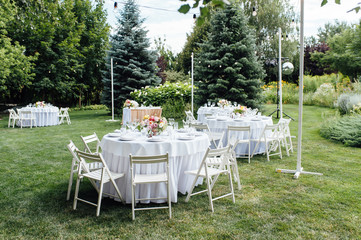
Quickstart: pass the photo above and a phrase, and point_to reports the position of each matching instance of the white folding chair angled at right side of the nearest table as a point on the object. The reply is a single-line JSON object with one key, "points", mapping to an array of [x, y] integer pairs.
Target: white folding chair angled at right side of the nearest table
{"points": [[207, 170]]}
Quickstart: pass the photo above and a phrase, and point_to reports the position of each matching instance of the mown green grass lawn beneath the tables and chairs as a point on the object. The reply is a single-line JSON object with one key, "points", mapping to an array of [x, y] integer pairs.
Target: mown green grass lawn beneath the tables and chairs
{"points": [[35, 171]]}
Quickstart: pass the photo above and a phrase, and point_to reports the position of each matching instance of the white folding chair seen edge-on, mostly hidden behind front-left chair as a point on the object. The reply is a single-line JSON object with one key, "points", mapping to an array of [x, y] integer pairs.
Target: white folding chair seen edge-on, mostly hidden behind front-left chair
{"points": [[75, 166]]}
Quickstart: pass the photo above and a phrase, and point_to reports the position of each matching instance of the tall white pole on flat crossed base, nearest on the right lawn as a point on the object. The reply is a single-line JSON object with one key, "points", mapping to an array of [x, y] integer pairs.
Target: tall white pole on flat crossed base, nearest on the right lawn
{"points": [[299, 169]]}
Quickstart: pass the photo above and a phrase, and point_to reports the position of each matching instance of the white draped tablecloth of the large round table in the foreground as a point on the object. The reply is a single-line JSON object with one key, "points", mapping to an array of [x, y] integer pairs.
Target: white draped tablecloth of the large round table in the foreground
{"points": [[183, 155]]}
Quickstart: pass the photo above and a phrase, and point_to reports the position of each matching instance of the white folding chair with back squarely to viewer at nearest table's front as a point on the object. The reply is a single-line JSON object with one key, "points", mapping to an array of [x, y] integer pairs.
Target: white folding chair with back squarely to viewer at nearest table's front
{"points": [[146, 178]]}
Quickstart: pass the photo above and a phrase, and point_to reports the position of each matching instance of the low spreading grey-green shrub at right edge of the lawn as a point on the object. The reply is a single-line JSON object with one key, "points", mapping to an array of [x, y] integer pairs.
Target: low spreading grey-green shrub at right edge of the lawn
{"points": [[346, 130]]}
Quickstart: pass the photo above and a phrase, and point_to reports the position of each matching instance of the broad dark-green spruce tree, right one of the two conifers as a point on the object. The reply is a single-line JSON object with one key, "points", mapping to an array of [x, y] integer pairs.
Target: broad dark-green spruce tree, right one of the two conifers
{"points": [[227, 66]]}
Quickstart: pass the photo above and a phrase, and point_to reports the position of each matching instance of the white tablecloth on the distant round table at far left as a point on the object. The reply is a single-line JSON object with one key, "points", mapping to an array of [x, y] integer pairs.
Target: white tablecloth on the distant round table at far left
{"points": [[44, 116]]}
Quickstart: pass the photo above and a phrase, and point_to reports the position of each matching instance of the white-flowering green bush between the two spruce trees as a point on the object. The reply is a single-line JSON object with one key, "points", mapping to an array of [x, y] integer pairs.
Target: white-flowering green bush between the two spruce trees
{"points": [[172, 97]]}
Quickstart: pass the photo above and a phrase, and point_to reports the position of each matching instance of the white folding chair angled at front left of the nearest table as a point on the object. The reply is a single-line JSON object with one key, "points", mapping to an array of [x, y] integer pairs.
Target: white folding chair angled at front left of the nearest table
{"points": [[103, 175]]}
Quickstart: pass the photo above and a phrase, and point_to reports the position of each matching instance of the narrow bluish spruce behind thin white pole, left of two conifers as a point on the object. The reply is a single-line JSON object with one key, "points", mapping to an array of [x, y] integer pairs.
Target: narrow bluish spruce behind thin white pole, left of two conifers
{"points": [[134, 66]]}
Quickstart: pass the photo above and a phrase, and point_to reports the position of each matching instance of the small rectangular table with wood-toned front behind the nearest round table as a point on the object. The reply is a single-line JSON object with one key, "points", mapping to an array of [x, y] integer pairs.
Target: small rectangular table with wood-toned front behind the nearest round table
{"points": [[132, 114]]}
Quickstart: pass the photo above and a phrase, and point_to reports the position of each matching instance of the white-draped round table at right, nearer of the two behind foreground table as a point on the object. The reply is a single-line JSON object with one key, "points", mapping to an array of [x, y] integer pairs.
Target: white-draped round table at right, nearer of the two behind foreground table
{"points": [[257, 125]]}
